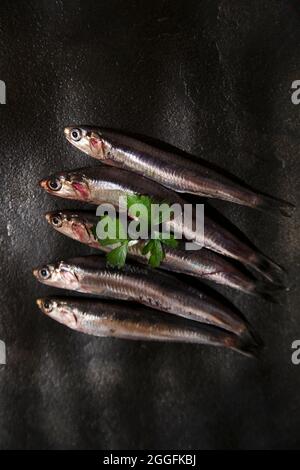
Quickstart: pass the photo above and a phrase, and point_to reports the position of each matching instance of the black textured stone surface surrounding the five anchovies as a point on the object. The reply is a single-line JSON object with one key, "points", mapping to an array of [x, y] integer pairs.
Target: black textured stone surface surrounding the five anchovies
{"points": [[212, 78]]}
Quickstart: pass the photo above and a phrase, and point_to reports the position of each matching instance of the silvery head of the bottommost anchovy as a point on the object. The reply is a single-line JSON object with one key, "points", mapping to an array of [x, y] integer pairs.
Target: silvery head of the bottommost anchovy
{"points": [[59, 310]]}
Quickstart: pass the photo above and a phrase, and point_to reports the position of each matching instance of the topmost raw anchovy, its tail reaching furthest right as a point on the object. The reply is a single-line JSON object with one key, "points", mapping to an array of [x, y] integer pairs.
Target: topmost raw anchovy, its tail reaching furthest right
{"points": [[169, 169]]}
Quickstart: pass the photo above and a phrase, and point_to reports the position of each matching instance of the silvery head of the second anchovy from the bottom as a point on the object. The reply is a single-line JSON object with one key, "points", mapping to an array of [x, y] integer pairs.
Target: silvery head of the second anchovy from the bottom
{"points": [[60, 275]]}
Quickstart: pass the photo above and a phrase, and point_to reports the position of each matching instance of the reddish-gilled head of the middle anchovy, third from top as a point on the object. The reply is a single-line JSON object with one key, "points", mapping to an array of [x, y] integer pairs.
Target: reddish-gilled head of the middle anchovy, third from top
{"points": [[72, 224]]}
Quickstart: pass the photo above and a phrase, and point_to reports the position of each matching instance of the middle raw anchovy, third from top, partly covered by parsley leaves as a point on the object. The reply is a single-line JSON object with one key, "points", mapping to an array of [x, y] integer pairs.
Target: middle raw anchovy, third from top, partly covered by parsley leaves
{"points": [[202, 264]]}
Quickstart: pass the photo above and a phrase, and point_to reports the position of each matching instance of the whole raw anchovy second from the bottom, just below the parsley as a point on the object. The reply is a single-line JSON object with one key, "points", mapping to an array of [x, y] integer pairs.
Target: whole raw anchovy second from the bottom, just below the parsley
{"points": [[161, 291]]}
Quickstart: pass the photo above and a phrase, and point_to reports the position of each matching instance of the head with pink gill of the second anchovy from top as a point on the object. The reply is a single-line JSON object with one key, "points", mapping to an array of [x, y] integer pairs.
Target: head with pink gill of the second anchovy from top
{"points": [[70, 185]]}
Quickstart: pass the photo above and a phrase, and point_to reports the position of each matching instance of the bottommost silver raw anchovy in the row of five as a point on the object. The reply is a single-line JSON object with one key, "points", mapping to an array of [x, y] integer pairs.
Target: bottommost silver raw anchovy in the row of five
{"points": [[111, 319]]}
